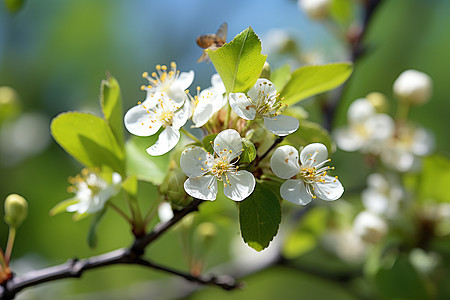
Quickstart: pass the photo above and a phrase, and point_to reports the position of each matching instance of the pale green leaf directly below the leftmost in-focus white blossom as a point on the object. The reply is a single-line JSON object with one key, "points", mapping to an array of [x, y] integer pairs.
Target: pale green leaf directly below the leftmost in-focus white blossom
{"points": [[145, 167]]}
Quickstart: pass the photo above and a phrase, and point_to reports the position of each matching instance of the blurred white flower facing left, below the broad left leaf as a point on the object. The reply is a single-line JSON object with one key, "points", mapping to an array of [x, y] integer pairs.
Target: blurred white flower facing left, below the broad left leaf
{"points": [[92, 191]]}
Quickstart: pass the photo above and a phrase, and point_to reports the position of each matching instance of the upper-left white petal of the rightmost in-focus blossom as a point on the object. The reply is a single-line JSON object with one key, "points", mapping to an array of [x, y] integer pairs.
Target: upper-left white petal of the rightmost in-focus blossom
{"points": [[284, 162]]}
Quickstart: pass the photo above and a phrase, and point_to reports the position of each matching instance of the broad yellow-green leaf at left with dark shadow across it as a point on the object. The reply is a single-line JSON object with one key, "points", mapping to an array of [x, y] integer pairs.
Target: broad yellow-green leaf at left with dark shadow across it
{"points": [[89, 139]]}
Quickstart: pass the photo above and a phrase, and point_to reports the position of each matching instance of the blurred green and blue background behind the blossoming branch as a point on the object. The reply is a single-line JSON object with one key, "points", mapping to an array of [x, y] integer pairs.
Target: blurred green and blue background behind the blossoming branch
{"points": [[54, 54]]}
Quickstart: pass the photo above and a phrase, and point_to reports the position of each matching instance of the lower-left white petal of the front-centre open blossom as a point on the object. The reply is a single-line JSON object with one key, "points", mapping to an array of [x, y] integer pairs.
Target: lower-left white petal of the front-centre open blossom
{"points": [[204, 187]]}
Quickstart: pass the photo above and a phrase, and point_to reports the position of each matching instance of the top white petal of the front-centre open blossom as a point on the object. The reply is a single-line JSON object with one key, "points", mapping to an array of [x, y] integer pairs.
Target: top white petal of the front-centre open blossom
{"points": [[228, 143]]}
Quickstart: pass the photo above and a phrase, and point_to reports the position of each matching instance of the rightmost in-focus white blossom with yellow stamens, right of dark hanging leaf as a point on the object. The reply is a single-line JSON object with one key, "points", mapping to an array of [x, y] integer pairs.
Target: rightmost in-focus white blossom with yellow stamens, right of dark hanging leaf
{"points": [[311, 175]]}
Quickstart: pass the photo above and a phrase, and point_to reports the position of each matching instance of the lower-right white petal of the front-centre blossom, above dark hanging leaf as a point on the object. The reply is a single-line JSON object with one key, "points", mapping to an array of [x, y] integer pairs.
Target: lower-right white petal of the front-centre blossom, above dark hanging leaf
{"points": [[241, 184]]}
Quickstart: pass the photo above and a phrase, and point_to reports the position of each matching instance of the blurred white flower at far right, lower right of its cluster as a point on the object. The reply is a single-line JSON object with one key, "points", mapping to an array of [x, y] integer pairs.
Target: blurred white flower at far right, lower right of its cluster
{"points": [[402, 151]]}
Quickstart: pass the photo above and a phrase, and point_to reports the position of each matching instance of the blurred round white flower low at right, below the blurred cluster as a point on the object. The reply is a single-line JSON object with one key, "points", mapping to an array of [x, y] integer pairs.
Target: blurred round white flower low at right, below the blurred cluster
{"points": [[370, 227]]}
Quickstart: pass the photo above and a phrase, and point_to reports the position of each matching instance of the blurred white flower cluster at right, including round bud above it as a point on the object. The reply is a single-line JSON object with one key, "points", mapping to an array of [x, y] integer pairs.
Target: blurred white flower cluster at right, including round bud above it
{"points": [[398, 142]]}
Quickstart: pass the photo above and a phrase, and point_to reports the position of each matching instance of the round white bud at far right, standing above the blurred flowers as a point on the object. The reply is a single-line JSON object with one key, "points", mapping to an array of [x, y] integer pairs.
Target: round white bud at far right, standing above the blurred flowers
{"points": [[413, 87]]}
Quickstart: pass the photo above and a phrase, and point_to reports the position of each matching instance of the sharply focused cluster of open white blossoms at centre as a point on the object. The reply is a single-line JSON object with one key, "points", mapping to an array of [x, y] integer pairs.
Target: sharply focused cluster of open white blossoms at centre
{"points": [[169, 105]]}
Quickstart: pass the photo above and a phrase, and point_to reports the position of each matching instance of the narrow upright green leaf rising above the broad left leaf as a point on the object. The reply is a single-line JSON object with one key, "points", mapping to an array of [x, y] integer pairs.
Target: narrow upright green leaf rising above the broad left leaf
{"points": [[111, 104]]}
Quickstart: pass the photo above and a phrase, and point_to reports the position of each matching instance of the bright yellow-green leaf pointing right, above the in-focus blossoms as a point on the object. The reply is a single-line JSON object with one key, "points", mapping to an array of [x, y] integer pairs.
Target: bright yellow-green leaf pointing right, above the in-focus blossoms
{"points": [[311, 80]]}
